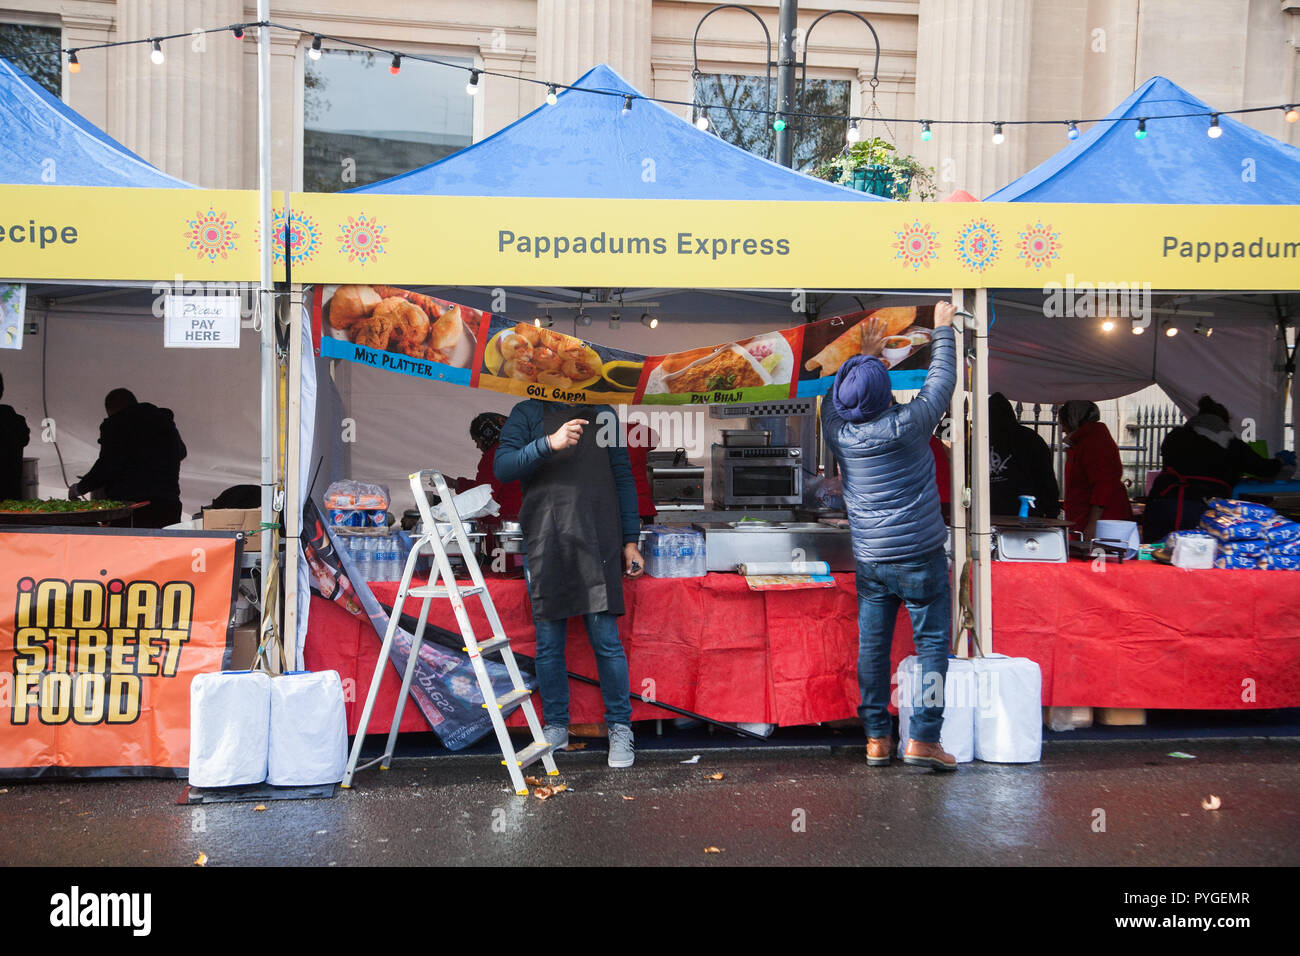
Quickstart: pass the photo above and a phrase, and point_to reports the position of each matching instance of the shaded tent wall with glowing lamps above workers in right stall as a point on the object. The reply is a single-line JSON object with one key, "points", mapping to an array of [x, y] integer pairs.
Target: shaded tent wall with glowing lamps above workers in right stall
{"points": [[1034, 358]]}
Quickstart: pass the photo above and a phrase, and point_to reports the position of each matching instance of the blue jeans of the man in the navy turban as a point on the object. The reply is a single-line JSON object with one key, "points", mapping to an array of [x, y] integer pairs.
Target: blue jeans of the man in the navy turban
{"points": [[924, 587]]}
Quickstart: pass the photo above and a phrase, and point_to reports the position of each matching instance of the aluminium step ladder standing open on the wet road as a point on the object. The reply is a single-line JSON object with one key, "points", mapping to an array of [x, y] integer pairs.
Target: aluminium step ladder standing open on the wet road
{"points": [[444, 585]]}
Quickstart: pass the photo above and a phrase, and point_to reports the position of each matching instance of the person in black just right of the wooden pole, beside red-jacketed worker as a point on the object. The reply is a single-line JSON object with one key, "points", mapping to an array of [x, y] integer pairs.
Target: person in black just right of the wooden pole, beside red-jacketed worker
{"points": [[1020, 464]]}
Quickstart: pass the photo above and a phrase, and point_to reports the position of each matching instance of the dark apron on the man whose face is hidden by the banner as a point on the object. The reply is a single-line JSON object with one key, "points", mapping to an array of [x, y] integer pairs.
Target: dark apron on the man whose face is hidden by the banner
{"points": [[573, 527]]}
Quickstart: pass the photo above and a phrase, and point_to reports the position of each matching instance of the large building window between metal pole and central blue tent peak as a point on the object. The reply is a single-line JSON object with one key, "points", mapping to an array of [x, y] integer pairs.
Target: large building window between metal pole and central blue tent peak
{"points": [[362, 124]]}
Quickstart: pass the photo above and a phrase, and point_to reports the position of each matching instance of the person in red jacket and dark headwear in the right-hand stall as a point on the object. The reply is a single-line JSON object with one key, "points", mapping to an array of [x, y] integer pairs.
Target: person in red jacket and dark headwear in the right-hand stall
{"points": [[1094, 474]]}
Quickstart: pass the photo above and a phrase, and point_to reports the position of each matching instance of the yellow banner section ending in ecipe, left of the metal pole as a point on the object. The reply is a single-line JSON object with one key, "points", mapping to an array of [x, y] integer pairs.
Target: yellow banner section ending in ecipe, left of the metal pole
{"points": [[73, 233]]}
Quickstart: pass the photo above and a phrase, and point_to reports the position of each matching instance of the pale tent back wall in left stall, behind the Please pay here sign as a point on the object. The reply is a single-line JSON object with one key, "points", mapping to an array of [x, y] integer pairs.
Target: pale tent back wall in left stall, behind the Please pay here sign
{"points": [[94, 349]]}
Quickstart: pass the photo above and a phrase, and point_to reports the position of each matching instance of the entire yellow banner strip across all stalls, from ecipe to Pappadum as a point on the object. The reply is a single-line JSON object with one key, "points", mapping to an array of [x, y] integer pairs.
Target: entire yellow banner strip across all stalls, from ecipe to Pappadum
{"points": [[73, 233]]}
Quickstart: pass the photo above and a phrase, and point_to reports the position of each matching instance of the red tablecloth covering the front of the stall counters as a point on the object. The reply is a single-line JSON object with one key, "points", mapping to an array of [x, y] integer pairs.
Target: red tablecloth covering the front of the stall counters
{"points": [[1138, 635]]}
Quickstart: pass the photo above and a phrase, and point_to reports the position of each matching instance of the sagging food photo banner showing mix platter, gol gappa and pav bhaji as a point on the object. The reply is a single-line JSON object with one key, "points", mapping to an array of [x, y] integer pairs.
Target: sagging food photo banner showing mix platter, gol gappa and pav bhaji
{"points": [[417, 335]]}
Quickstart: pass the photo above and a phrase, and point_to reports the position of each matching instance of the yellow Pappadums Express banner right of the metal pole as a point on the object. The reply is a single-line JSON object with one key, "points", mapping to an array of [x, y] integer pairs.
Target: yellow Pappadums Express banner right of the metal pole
{"points": [[778, 245]]}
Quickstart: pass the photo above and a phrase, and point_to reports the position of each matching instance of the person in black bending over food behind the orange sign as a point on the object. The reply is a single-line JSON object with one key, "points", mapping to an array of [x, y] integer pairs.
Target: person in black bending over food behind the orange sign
{"points": [[140, 460]]}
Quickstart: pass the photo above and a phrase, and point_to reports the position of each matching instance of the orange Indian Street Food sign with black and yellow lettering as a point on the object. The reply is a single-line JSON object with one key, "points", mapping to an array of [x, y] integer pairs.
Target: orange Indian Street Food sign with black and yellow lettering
{"points": [[101, 634]]}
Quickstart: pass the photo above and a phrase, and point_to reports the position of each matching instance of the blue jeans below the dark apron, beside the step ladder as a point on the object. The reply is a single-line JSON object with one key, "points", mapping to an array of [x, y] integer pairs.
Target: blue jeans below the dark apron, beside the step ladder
{"points": [[612, 665]]}
